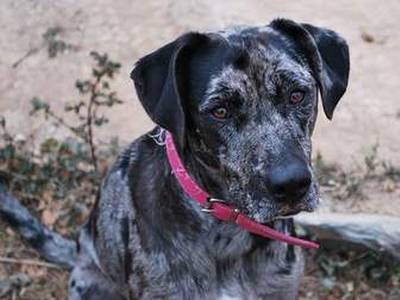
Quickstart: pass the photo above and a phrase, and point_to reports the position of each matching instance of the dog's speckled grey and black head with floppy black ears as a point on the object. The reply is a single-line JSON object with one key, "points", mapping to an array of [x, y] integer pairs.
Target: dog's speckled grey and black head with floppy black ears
{"points": [[244, 102]]}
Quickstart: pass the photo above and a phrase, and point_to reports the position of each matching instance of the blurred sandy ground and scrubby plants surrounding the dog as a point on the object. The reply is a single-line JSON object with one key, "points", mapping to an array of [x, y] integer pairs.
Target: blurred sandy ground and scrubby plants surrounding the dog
{"points": [[45, 49]]}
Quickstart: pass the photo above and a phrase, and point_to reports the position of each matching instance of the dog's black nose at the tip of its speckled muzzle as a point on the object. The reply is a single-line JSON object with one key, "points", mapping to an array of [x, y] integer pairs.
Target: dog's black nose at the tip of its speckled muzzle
{"points": [[290, 182]]}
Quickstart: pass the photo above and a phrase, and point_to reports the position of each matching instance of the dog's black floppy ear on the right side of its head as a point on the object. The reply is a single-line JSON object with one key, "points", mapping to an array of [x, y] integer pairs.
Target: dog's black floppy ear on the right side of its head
{"points": [[326, 53]]}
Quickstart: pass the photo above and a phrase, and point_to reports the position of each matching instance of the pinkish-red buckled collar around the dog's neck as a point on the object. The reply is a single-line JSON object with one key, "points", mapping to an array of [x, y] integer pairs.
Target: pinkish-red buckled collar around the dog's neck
{"points": [[218, 208]]}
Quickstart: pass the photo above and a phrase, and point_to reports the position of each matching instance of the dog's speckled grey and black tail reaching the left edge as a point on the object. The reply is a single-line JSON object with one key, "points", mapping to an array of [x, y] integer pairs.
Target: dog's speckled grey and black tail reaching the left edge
{"points": [[53, 247]]}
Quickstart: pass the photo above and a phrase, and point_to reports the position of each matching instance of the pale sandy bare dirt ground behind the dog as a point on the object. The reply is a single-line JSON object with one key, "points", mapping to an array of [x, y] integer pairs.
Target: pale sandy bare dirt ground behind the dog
{"points": [[369, 113]]}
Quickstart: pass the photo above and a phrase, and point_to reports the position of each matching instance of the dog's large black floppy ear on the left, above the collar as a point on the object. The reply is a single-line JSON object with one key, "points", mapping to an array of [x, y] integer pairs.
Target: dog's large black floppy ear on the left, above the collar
{"points": [[158, 80]]}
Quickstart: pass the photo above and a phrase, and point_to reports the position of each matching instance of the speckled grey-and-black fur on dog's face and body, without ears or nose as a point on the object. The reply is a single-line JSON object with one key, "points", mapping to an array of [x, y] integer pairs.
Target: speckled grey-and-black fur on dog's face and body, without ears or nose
{"points": [[145, 239]]}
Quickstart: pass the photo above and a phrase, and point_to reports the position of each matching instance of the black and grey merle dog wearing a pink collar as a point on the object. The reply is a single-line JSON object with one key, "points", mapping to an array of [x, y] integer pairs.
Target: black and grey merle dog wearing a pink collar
{"points": [[241, 105]]}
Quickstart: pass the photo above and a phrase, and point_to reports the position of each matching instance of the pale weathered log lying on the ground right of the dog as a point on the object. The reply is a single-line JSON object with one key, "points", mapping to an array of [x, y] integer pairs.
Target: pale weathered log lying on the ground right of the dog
{"points": [[376, 232]]}
